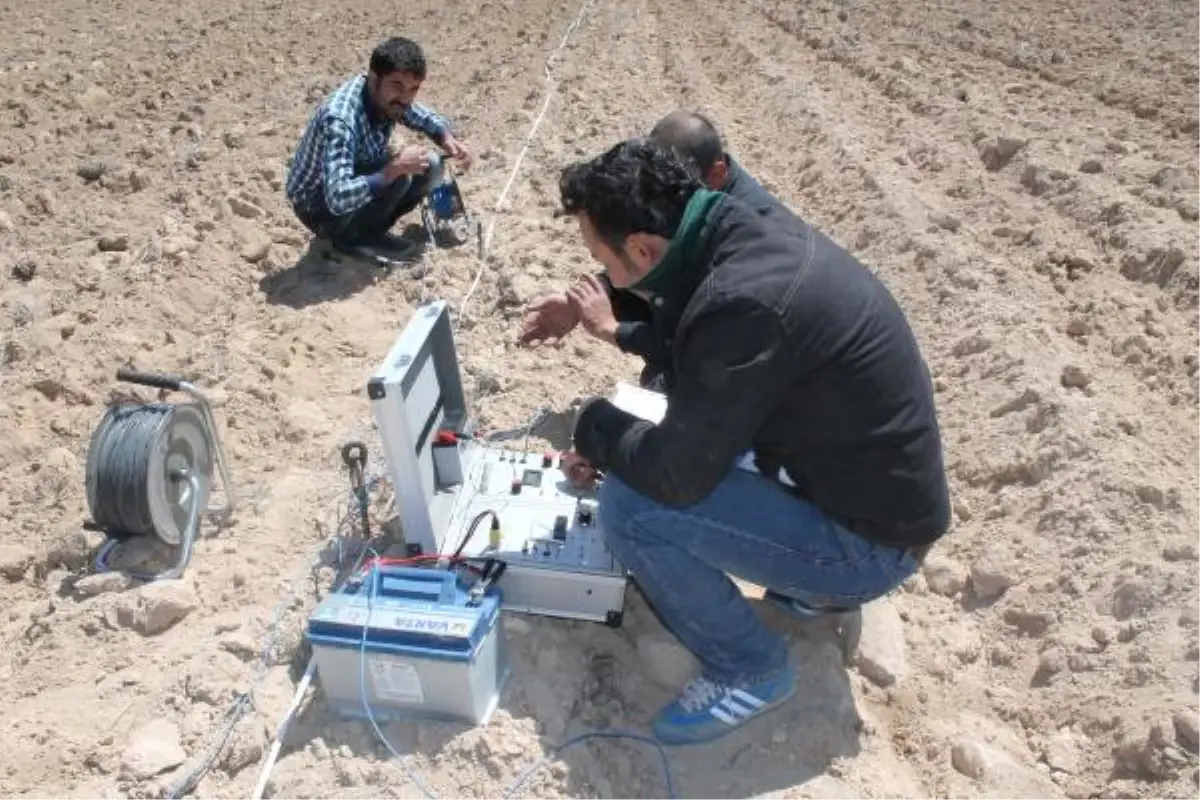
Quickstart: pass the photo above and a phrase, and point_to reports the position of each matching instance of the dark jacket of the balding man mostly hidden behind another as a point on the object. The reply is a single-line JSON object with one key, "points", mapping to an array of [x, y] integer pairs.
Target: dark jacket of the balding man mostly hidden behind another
{"points": [[635, 317]]}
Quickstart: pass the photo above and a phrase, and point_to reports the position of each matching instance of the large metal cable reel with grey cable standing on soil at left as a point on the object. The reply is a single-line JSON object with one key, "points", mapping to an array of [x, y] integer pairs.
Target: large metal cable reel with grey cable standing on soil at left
{"points": [[151, 470]]}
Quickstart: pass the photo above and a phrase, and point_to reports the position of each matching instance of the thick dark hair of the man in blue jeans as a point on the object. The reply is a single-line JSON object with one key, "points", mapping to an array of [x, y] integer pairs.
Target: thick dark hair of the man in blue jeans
{"points": [[637, 187]]}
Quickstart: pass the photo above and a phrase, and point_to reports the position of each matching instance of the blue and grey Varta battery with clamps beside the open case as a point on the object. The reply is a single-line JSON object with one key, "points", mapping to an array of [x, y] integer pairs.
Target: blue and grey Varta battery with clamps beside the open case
{"points": [[411, 642]]}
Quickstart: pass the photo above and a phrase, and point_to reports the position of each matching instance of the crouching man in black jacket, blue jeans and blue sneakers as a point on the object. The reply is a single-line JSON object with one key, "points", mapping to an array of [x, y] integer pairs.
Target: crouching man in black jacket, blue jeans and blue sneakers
{"points": [[783, 346]]}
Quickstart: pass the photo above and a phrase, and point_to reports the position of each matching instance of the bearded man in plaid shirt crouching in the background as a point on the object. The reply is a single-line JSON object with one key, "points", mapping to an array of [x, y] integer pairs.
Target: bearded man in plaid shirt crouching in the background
{"points": [[345, 184]]}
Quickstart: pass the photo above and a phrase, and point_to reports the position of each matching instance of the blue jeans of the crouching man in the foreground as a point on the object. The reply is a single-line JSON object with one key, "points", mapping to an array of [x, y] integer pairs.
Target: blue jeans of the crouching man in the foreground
{"points": [[758, 531]]}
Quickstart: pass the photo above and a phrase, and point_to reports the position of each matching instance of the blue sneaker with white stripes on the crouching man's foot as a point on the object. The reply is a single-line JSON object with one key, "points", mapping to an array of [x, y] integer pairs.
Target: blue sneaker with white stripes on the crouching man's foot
{"points": [[707, 711]]}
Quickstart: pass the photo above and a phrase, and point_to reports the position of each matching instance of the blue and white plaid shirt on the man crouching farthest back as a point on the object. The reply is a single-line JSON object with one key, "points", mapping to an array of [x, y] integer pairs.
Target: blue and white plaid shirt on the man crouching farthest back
{"points": [[334, 170]]}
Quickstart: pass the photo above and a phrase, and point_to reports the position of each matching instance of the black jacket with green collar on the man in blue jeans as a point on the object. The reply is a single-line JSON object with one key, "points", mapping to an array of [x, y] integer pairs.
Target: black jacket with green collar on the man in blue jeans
{"points": [[781, 341]]}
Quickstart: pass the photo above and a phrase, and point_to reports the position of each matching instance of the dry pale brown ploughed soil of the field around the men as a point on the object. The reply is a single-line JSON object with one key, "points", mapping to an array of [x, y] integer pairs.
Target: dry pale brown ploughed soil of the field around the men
{"points": [[1024, 176]]}
